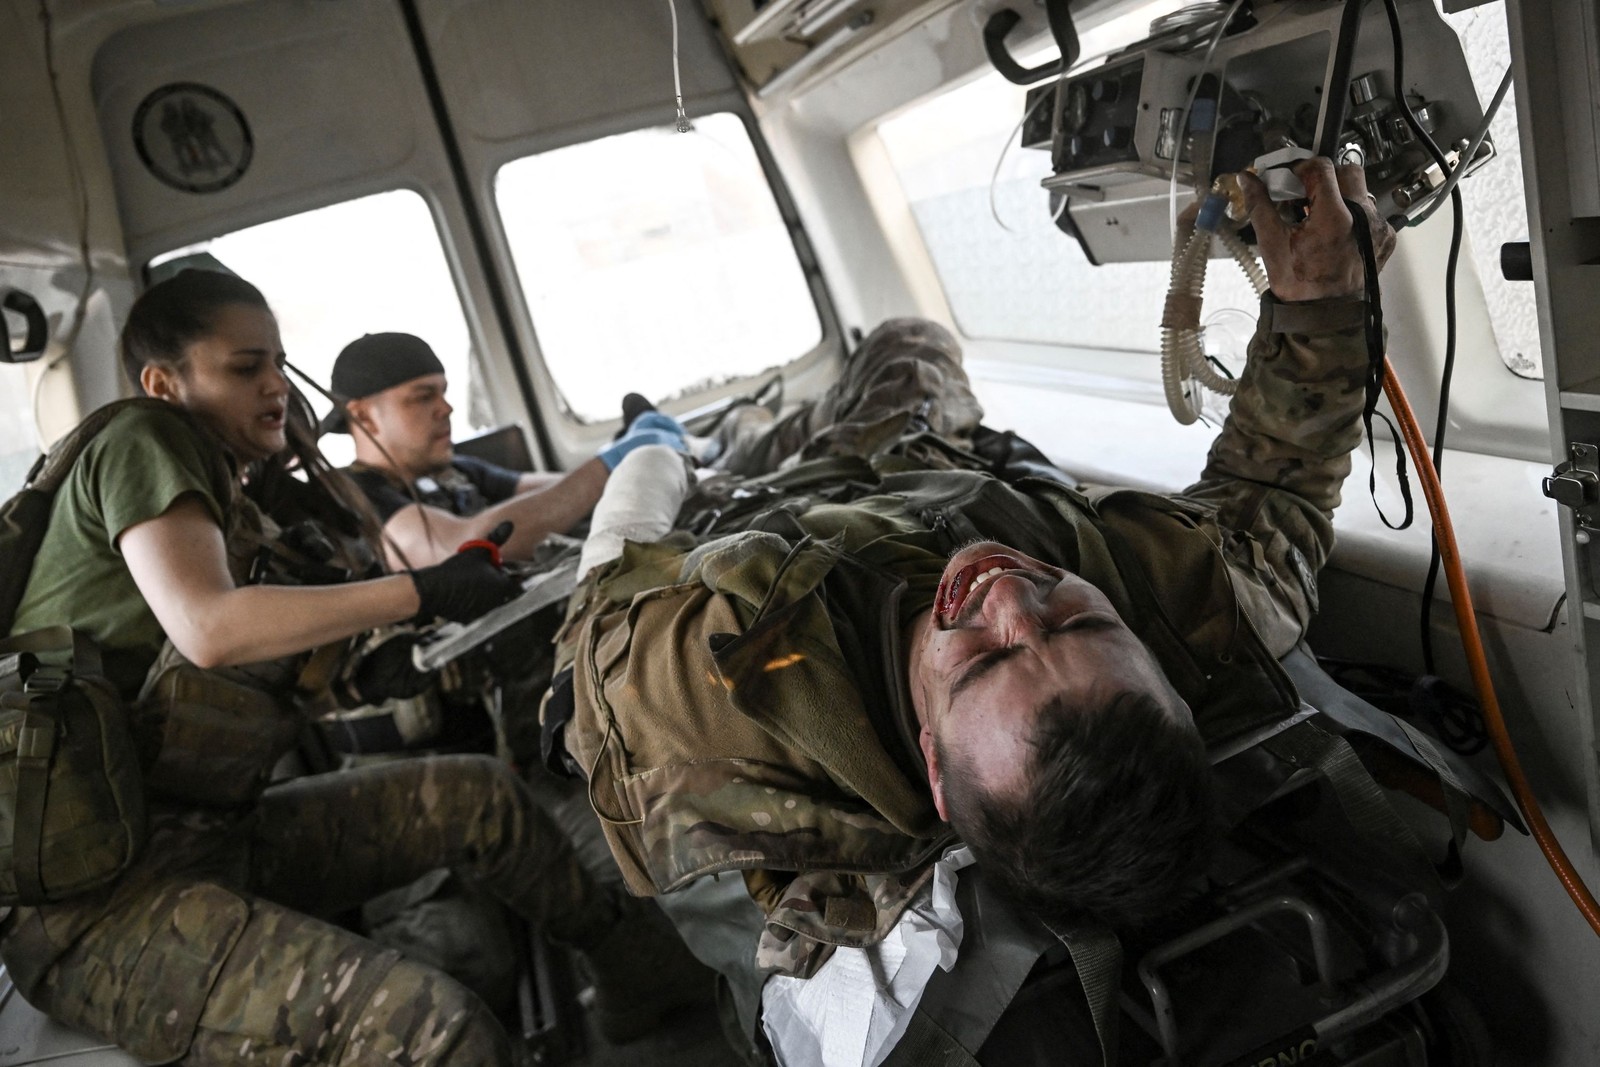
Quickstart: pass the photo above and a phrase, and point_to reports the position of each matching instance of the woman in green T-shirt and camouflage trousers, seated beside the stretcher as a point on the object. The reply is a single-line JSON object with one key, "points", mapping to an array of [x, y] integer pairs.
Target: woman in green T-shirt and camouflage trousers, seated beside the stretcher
{"points": [[209, 949]]}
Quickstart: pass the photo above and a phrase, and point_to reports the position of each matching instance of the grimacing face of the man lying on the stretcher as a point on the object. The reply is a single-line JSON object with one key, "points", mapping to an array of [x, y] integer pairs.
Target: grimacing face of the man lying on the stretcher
{"points": [[1007, 637]]}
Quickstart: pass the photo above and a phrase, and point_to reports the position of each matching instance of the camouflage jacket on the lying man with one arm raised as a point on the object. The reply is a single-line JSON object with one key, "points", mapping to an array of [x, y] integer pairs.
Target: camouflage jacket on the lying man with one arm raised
{"points": [[740, 701]]}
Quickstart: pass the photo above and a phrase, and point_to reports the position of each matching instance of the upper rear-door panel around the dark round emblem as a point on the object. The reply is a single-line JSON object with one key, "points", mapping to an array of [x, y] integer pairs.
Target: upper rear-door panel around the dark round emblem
{"points": [[329, 90]]}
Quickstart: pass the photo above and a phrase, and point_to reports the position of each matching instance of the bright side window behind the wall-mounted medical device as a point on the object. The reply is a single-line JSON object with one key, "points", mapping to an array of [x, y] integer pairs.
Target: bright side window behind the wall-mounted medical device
{"points": [[1010, 274]]}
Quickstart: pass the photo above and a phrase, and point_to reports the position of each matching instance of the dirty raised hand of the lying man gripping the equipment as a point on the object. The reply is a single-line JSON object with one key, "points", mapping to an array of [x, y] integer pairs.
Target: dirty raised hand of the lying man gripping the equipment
{"points": [[1318, 258]]}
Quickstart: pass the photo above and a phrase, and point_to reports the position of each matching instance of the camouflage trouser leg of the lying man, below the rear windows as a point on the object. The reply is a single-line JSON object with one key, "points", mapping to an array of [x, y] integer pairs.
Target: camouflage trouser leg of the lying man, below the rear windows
{"points": [[906, 375]]}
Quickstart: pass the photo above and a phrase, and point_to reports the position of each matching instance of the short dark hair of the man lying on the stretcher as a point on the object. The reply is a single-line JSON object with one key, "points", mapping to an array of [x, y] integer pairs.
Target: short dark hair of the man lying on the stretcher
{"points": [[1114, 820]]}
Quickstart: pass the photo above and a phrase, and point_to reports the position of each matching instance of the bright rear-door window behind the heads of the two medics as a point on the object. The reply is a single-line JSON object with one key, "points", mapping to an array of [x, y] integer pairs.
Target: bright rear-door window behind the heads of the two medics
{"points": [[364, 266]]}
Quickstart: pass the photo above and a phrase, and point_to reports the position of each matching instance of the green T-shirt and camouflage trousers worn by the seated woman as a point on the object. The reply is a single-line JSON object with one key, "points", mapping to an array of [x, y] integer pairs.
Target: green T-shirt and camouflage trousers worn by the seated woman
{"points": [[209, 949]]}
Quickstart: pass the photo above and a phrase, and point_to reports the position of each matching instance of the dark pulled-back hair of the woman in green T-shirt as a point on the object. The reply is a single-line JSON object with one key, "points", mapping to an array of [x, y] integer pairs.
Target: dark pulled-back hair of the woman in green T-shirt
{"points": [[172, 314]]}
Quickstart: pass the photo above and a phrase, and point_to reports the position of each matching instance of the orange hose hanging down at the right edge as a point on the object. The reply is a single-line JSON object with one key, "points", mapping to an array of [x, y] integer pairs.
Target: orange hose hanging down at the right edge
{"points": [[1473, 644]]}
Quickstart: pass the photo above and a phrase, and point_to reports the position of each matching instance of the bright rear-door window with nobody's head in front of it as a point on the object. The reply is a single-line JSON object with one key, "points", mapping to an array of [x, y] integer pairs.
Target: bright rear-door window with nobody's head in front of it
{"points": [[657, 263]]}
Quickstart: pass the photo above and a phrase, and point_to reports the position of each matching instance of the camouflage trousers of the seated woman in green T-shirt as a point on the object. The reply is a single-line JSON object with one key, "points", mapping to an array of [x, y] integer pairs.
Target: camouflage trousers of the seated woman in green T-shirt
{"points": [[210, 953]]}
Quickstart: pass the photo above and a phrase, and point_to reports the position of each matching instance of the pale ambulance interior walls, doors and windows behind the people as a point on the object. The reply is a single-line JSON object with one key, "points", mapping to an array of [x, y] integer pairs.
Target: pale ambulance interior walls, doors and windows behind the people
{"points": [[694, 201]]}
